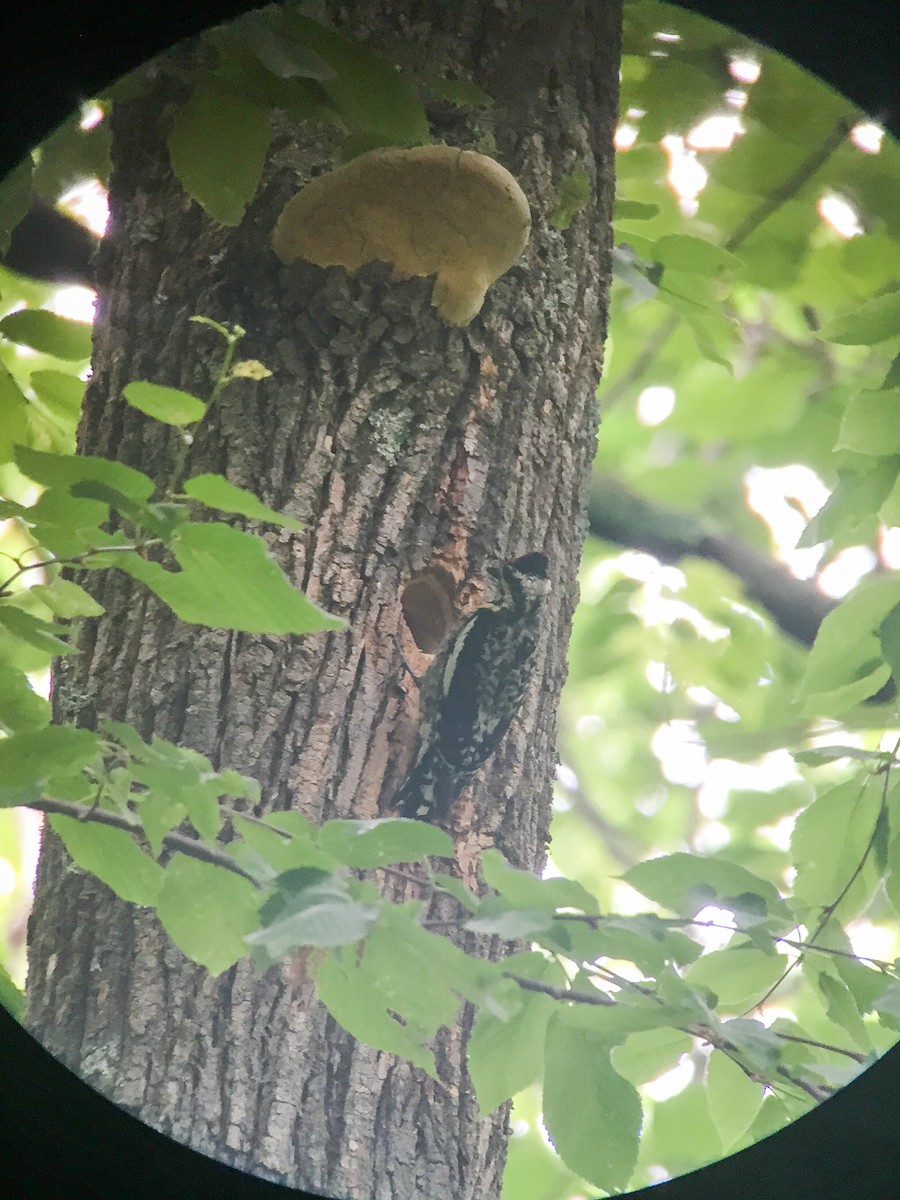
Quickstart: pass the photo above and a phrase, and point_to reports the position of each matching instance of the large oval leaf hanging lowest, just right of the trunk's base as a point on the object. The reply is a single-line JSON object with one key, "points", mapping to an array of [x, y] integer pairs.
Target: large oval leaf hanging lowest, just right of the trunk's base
{"points": [[592, 1114]]}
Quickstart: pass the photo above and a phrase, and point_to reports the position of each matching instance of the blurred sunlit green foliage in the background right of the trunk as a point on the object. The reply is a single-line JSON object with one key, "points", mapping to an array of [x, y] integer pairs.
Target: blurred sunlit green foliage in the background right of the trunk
{"points": [[685, 699]]}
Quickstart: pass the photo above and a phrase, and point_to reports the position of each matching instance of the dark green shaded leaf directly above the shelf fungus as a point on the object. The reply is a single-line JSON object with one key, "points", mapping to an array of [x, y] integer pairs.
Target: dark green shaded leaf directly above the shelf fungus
{"points": [[371, 97]]}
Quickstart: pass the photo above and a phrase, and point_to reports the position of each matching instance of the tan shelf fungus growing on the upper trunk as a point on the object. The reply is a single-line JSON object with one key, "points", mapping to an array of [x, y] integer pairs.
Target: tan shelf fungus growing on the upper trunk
{"points": [[428, 211]]}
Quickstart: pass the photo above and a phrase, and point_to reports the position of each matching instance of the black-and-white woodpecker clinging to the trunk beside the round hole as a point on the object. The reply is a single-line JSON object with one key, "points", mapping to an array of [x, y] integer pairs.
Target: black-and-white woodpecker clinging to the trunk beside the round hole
{"points": [[475, 688]]}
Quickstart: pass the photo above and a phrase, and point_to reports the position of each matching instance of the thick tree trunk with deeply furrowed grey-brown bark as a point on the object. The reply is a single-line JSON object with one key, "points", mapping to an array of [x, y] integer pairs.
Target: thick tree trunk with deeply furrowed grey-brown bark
{"points": [[401, 443]]}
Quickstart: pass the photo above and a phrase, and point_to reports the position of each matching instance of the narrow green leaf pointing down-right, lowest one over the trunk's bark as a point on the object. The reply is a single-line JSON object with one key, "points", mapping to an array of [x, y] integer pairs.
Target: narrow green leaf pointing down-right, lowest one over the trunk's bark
{"points": [[353, 1001]]}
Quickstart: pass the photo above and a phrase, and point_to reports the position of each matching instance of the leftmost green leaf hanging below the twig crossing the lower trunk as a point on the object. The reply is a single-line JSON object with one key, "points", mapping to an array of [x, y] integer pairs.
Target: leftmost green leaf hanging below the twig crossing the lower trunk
{"points": [[113, 856]]}
